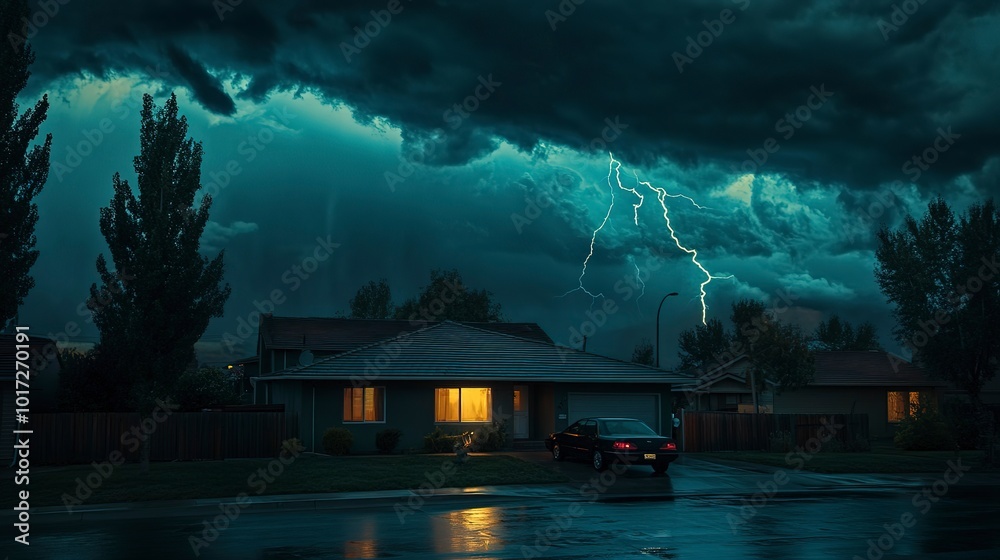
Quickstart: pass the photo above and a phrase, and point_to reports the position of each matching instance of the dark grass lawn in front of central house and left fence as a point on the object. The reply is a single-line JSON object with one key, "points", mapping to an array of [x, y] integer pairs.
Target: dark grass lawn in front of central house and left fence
{"points": [[306, 474]]}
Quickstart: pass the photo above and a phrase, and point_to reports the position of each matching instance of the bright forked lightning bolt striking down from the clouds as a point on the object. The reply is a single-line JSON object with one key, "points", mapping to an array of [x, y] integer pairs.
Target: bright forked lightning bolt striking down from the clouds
{"points": [[614, 168]]}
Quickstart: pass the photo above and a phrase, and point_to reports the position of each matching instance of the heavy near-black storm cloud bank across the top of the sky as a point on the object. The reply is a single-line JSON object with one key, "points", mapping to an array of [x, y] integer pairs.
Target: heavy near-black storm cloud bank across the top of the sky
{"points": [[892, 87]]}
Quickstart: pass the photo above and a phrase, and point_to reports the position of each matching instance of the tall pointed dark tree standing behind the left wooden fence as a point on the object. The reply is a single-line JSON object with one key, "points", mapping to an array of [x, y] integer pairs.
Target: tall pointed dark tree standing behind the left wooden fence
{"points": [[158, 301]]}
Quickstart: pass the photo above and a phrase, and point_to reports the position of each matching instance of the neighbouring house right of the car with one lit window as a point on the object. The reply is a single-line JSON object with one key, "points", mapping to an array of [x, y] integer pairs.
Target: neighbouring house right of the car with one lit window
{"points": [[875, 383]]}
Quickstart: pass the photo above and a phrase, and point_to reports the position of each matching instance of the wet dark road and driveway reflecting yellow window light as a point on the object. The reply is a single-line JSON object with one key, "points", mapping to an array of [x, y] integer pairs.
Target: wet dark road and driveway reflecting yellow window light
{"points": [[596, 521]]}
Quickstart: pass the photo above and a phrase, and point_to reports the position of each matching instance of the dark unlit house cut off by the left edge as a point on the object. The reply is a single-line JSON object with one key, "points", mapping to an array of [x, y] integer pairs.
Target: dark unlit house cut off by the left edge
{"points": [[42, 385]]}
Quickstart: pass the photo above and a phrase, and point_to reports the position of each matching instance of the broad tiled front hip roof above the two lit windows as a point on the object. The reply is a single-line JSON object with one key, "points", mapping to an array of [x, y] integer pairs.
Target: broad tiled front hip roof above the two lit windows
{"points": [[463, 352]]}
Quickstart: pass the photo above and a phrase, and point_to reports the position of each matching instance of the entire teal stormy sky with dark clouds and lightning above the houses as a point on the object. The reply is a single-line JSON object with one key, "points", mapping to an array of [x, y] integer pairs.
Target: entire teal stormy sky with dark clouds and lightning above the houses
{"points": [[403, 136]]}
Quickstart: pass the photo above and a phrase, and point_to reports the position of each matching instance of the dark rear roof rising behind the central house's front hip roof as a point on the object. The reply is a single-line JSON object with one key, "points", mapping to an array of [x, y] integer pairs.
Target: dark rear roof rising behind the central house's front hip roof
{"points": [[342, 335]]}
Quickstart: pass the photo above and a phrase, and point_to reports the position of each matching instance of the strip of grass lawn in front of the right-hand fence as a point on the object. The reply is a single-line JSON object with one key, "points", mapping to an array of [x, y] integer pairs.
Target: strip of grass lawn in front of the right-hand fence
{"points": [[881, 459]]}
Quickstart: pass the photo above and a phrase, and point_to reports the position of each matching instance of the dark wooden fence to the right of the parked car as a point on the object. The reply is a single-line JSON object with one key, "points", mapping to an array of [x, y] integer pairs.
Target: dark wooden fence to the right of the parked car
{"points": [[734, 431]]}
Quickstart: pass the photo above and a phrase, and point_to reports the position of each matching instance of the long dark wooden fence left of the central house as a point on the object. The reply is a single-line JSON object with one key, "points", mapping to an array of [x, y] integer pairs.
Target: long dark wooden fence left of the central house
{"points": [[66, 438]]}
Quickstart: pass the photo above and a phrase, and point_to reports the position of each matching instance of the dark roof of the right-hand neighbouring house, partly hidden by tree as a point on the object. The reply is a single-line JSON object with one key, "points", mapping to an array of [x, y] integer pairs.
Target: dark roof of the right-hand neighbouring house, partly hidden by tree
{"points": [[839, 369]]}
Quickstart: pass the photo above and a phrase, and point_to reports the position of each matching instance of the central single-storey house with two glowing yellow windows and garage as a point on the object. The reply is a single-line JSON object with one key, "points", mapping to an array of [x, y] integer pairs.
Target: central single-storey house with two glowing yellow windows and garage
{"points": [[368, 375]]}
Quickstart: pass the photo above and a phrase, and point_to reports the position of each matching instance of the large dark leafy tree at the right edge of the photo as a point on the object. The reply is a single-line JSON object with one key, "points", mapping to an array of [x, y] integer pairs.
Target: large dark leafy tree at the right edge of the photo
{"points": [[942, 275]]}
